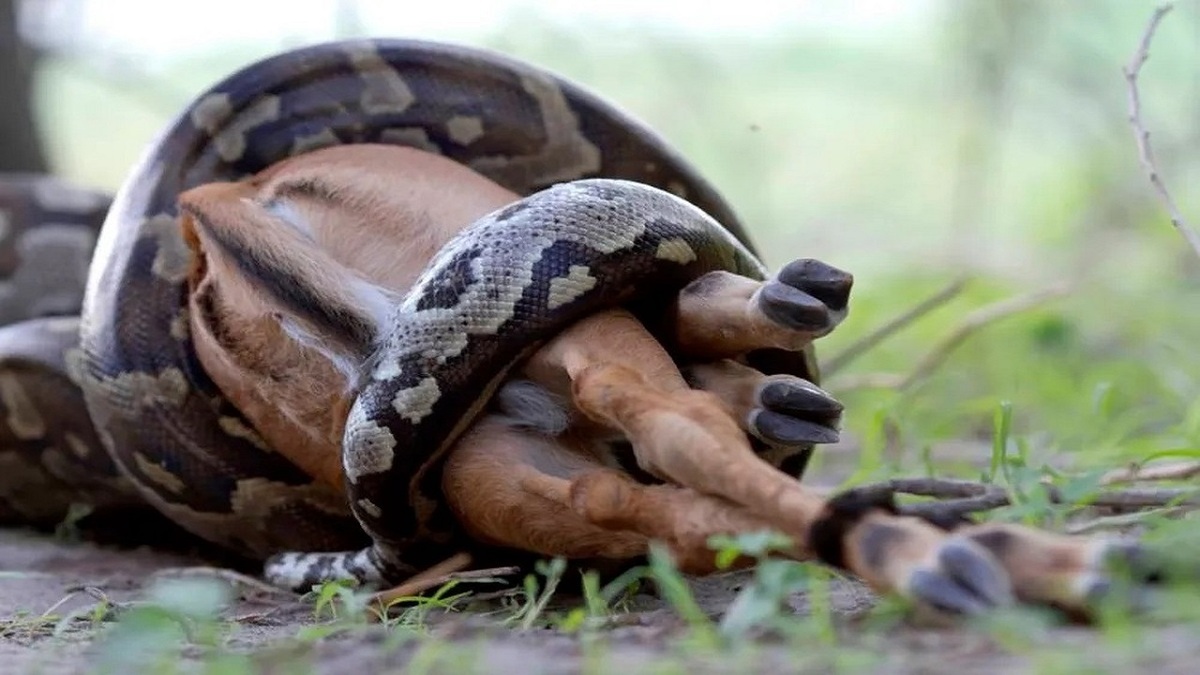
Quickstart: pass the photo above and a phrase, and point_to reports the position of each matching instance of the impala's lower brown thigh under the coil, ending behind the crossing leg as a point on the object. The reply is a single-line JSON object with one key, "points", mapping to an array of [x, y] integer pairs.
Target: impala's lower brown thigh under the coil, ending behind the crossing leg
{"points": [[555, 497]]}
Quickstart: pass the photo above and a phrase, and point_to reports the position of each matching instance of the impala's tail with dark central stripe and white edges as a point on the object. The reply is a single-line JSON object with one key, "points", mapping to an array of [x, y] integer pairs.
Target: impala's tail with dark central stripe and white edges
{"points": [[320, 303]]}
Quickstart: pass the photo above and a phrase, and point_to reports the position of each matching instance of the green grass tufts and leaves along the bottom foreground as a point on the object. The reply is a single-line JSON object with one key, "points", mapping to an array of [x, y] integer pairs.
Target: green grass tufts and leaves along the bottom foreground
{"points": [[184, 625]]}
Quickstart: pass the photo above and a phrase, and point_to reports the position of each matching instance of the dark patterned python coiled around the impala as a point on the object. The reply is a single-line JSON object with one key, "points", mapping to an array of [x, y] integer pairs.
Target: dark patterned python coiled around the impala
{"points": [[609, 207]]}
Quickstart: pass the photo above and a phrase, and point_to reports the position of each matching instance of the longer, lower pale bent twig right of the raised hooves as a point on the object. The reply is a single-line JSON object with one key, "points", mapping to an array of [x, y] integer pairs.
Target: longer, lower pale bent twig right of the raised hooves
{"points": [[974, 322]]}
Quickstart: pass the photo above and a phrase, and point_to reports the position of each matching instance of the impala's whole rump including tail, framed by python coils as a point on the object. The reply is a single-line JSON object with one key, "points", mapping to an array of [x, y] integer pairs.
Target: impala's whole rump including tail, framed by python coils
{"points": [[296, 271]]}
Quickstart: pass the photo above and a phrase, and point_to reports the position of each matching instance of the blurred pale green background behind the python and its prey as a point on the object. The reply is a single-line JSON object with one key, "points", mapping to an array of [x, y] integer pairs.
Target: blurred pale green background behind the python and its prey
{"points": [[911, 144]]}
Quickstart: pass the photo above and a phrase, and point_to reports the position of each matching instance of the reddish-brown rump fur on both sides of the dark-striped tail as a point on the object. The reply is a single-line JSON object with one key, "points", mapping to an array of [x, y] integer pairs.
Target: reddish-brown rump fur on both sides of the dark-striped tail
{"points": [[353, 199]]}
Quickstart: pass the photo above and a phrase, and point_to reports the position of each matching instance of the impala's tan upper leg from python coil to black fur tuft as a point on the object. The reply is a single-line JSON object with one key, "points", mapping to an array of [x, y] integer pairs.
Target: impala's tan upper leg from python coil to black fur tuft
{"points": [[622, 379]]}
